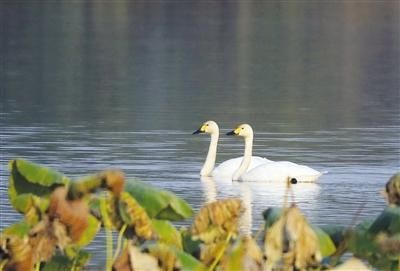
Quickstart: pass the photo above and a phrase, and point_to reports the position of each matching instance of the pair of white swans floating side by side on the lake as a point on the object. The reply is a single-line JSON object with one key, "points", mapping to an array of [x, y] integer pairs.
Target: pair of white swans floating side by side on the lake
{"points": [[249, 167]]}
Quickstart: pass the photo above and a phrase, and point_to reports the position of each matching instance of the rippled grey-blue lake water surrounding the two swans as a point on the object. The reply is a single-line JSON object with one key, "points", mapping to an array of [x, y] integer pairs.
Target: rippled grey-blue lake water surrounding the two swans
{"points": [[86, 86]]}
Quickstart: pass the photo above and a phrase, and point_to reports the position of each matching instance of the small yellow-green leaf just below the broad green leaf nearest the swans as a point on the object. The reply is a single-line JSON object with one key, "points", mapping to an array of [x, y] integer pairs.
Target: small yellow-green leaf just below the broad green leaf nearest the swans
{"points": [[167, 233]]}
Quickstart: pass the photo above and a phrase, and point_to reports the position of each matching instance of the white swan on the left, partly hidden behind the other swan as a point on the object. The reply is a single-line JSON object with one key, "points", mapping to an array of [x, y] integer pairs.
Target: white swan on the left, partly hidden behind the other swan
{"points": [[227, 168]]}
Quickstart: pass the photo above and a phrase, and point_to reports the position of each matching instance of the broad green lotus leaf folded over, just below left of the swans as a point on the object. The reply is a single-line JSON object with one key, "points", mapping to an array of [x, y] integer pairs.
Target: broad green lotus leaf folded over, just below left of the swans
{"points": [[158, 203]]}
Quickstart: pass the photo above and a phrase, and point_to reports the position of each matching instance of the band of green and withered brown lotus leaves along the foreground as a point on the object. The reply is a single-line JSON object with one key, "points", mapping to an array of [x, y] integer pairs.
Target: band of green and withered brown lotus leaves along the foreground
{"points": [[62, 216]]}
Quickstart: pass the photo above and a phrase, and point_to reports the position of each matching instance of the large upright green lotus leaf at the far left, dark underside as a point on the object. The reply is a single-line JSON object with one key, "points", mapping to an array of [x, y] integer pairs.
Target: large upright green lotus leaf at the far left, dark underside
{"points": [[28, 179]]}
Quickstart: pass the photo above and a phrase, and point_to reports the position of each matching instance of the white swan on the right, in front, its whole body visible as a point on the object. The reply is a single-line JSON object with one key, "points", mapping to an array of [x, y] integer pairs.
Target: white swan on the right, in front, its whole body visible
{"points": [[271, 171]]}
